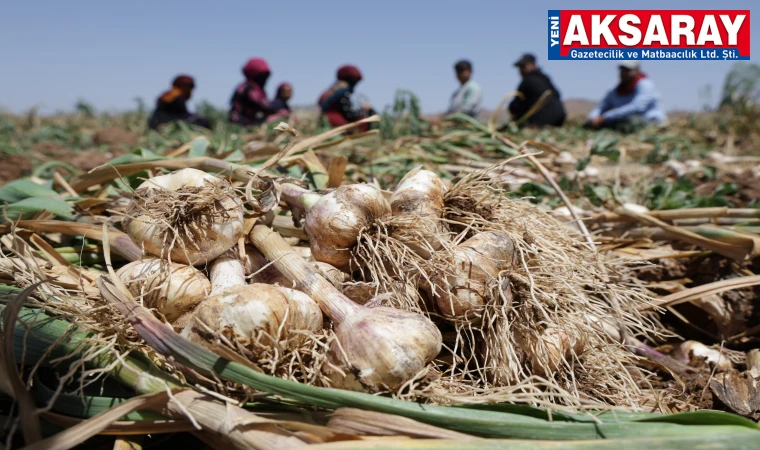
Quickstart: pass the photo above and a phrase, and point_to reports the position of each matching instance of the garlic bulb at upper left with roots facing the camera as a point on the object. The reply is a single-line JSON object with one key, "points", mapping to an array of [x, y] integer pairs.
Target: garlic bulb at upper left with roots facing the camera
{"points": [[201, 235]]}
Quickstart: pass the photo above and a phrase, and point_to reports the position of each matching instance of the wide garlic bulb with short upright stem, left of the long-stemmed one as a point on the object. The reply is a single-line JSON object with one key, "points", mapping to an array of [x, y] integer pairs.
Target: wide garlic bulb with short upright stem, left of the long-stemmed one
{"points": [[250, 313]]}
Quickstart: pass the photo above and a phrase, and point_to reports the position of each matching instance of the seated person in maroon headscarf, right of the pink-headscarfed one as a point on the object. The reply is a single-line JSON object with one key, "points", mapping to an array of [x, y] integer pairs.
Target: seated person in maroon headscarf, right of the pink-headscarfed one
{"points": [[335, 103]]}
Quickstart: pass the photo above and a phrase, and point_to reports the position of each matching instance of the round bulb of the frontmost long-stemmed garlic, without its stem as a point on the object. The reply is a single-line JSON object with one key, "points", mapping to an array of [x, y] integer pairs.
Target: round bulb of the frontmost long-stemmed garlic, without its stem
{"points": [[381, 348]]}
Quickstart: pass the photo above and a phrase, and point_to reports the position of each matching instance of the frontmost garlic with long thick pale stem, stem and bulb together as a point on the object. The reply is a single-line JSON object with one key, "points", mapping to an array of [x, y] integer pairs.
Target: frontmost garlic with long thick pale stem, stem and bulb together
{"points": [[376, 348]]}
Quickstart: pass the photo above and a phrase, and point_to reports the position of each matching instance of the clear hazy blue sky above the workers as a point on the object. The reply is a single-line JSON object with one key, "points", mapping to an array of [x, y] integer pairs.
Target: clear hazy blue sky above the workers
{"points": [[108, 53]]}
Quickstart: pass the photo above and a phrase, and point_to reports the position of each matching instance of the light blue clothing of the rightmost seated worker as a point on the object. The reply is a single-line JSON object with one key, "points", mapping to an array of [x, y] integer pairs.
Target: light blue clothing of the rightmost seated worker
{"points": [[643, 102]]}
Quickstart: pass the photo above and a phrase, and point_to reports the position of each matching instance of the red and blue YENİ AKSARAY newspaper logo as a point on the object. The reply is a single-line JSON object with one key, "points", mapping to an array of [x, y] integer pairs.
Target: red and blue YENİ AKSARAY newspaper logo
{"points": [[649, 34]]}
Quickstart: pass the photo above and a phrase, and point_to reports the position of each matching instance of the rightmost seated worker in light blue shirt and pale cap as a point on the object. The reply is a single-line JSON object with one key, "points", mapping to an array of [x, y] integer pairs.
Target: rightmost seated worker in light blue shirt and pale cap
{"points": [[635, 101]]}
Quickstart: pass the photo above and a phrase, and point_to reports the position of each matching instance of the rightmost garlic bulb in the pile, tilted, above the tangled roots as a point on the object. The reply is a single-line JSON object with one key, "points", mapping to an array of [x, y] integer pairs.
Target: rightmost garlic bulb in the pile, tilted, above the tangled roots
{"points": [[476, 265]]}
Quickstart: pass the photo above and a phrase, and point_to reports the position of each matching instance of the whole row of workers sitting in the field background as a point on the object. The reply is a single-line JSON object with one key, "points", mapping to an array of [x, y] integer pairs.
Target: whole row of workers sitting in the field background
{"points": [[537, 102]]}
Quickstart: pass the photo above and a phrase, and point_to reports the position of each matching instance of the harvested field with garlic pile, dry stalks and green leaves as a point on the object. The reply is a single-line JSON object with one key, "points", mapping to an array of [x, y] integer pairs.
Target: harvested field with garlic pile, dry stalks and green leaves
{"points": [[294, 285]]}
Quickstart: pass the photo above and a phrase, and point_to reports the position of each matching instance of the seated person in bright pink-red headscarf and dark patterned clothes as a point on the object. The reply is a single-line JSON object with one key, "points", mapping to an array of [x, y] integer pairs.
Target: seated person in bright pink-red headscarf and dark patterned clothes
{"points": [[249, 104]]}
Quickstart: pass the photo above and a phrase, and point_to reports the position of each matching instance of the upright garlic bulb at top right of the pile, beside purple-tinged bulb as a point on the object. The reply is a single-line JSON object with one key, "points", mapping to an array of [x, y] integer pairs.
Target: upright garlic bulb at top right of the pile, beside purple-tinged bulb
{"points": [[418, 202]]}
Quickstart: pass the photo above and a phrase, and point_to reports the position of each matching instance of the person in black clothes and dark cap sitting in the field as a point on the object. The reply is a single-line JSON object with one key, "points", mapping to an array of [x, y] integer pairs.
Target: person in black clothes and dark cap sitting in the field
{"points": [[534, 87]]}
